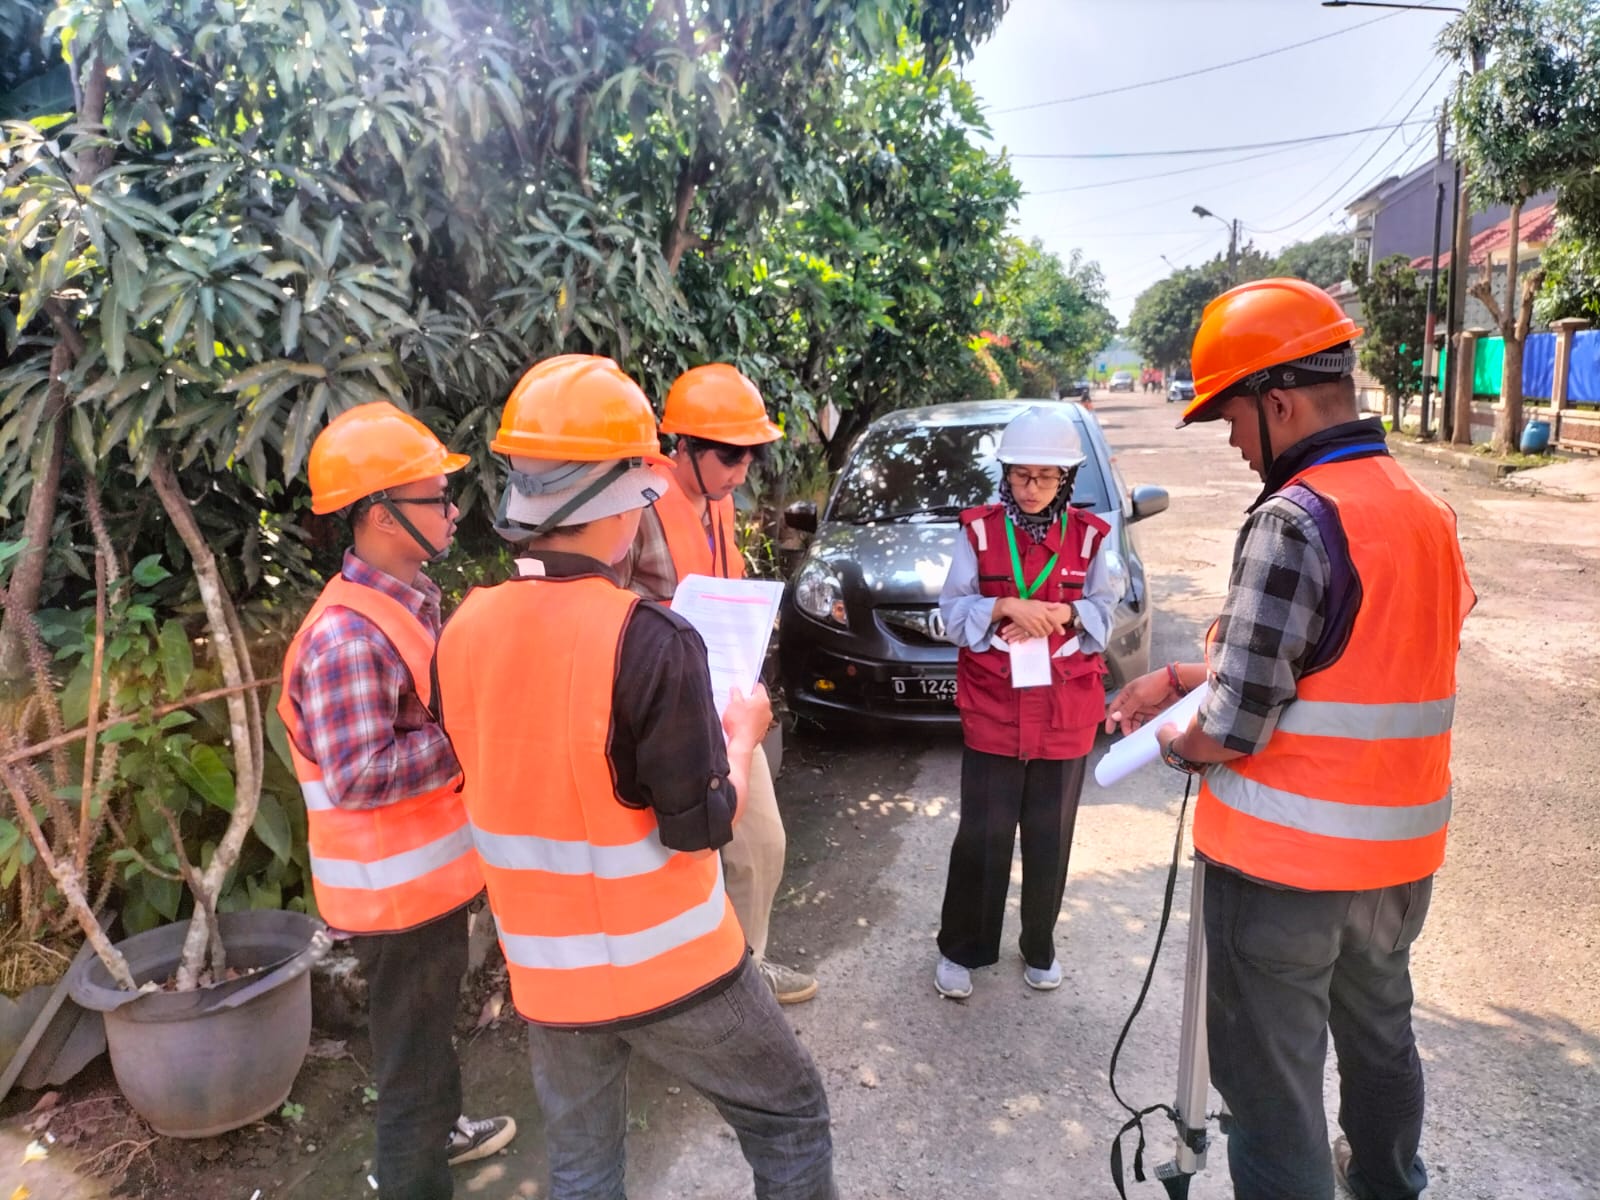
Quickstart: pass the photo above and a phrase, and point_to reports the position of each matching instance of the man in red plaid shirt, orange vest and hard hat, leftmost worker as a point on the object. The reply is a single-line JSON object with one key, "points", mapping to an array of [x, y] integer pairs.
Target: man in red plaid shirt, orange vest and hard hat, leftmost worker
{"points": [[391, 855]]}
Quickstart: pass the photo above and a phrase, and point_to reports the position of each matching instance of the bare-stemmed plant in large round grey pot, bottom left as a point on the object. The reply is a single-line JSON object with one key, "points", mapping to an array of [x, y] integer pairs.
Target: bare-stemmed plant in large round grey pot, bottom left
{"points": [[207, 1022]]}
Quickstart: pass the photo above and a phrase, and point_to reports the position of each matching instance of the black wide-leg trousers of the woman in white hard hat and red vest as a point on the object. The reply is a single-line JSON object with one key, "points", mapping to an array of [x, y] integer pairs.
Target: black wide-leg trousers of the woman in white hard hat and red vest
{"points": [[1001, 794]]}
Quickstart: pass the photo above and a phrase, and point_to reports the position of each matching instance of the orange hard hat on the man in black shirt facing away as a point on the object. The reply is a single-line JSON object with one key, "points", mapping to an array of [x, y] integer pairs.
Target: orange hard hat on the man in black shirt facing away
{"points": [[578, 409]]}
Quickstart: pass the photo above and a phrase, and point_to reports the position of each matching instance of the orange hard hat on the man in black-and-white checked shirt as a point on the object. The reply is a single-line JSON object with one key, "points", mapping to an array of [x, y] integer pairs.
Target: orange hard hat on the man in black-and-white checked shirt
{"points": [[1260, 326]]}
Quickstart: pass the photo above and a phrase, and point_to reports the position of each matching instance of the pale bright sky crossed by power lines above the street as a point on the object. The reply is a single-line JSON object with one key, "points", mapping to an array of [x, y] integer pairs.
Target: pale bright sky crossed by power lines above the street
{"points": [[1050, 50]]}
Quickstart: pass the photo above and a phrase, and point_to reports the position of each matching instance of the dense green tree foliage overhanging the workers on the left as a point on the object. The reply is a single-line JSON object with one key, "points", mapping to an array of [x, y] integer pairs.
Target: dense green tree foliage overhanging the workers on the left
{"points": [[234, 222]]}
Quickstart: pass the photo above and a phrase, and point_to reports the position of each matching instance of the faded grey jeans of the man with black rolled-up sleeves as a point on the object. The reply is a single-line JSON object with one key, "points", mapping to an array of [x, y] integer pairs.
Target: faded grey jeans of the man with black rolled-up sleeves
{"points": [[735, 1049]]}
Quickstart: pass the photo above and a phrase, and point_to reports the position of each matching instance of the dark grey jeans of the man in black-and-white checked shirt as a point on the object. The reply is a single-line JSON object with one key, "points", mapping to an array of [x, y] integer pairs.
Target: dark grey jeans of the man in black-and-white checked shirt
{"points": [[1286, 969]]}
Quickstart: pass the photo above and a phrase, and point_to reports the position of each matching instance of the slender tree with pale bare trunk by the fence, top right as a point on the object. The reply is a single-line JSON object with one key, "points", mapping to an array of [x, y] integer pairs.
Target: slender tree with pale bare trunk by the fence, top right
{"points": [[1527, 122]]}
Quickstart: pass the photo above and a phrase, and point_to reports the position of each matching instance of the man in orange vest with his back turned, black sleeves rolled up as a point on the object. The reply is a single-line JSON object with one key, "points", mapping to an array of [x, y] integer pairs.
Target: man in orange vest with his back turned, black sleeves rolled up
{"points": [[601, 785]]}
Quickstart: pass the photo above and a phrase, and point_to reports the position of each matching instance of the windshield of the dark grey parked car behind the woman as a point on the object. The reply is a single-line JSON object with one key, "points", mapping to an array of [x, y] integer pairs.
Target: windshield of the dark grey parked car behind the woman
{"points": [[932, 473]]}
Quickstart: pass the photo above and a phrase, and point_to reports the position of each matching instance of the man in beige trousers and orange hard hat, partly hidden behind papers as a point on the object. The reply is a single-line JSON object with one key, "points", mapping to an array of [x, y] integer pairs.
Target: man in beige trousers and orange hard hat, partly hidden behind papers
{"points": [[722, 431]]}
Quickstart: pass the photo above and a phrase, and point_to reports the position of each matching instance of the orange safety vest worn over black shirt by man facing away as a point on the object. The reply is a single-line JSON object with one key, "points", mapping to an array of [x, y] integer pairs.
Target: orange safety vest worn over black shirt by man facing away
{"points": [[598, 919]]}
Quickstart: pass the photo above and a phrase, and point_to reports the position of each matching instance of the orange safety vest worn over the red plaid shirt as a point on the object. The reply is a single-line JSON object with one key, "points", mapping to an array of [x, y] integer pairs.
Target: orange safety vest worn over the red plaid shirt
{"points": [[399, 866]]}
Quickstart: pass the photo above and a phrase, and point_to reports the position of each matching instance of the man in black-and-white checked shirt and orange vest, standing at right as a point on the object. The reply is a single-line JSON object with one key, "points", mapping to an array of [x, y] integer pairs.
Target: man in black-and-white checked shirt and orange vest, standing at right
{"points": [[1324, 751]]}
